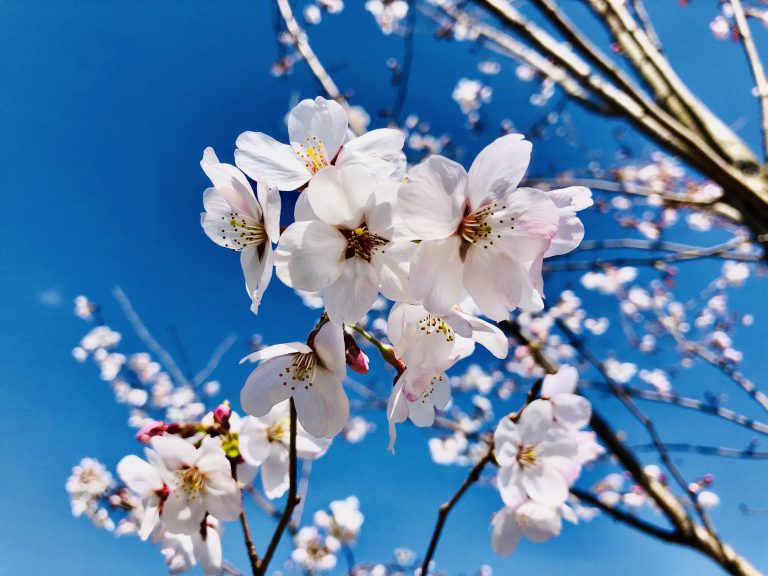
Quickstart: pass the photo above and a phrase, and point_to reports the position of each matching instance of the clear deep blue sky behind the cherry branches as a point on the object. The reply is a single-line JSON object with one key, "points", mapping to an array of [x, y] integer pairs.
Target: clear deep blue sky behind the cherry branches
{"points": [[105, 109]]}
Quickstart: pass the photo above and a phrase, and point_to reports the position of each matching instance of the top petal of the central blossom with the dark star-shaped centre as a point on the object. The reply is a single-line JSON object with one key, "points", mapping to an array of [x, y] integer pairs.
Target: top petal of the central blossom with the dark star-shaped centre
{"points": [[340, 196]]}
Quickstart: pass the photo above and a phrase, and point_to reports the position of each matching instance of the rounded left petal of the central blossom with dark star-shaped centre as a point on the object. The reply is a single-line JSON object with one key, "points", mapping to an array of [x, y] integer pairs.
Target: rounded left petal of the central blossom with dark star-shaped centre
{"points": [[309, 255]]}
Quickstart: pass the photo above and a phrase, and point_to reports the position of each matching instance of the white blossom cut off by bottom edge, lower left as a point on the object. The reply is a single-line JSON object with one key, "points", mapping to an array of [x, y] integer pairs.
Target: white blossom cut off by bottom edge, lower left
{"points": [[181, 552]]}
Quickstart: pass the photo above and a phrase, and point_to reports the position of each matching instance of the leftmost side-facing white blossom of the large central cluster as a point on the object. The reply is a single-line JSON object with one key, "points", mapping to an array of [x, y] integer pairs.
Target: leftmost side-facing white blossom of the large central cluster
{"points": [[235, 219]]}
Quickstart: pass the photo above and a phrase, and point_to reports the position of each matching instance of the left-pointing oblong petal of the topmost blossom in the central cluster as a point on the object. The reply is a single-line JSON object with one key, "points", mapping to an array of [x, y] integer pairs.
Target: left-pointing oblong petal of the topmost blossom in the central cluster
{"points": [[261, 156]]}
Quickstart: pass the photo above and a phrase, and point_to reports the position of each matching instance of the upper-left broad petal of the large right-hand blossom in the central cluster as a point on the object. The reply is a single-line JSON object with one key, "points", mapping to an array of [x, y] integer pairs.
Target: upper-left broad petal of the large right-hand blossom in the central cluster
{"points": [[431, 202]]}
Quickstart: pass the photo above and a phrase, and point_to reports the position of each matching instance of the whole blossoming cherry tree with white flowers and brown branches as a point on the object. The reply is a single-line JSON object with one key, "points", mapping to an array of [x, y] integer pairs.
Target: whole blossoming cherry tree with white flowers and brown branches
{"points": [[412, 258]]}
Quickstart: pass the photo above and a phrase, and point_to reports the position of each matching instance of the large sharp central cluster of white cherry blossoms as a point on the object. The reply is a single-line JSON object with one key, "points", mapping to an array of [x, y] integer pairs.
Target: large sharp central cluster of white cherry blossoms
{"points": [[445, 244]]}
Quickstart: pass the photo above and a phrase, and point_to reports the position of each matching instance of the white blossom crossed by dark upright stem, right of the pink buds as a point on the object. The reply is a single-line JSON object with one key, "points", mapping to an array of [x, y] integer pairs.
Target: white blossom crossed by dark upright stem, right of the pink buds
{"points": [[265, 442]]}
